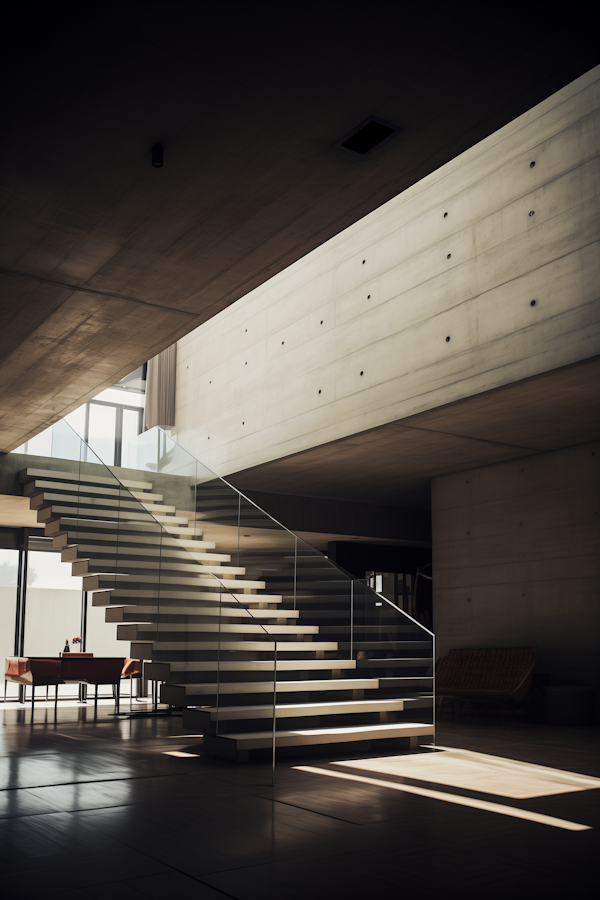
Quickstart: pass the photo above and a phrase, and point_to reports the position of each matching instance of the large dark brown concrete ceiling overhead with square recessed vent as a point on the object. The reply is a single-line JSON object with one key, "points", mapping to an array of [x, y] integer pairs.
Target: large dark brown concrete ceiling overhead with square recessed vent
{"points": [[105, 260]]}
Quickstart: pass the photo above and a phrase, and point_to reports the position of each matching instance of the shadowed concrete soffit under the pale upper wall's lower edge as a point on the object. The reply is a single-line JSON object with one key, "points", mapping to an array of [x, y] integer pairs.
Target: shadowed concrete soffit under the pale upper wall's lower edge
{"points": [[393, 465]]}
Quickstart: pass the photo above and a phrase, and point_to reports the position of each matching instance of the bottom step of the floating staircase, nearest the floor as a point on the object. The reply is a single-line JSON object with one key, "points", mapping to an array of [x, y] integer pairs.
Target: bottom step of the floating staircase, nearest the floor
{"points": [[231, 745]]}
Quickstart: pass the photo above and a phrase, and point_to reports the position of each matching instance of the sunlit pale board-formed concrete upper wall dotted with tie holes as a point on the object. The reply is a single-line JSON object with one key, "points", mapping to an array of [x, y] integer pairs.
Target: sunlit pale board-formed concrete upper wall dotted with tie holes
{"points": [[355, 334]]}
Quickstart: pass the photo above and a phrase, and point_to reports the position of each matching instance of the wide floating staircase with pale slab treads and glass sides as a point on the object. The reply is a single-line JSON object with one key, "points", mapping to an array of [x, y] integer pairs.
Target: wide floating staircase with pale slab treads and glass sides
{"points": [[226, 641]]}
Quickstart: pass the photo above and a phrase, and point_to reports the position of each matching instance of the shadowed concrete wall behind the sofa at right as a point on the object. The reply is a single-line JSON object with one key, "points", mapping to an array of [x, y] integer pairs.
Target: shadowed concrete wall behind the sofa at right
{"points": [[516, 560]]}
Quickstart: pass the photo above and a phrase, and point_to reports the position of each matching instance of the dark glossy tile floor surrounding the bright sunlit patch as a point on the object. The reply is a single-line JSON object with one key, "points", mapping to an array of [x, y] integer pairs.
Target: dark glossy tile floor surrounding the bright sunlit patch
{"points": [[95, 809]]}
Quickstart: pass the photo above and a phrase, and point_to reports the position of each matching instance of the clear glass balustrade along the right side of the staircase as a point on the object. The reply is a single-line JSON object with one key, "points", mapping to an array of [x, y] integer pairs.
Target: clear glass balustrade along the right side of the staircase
{"points": [[332, 629]]}
